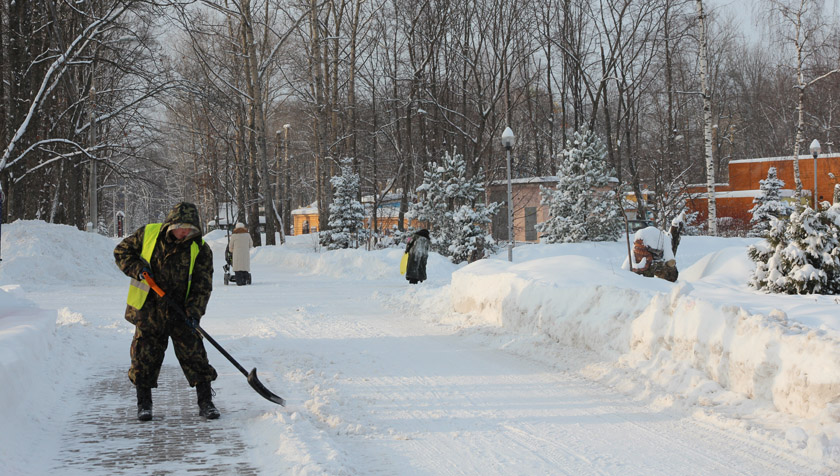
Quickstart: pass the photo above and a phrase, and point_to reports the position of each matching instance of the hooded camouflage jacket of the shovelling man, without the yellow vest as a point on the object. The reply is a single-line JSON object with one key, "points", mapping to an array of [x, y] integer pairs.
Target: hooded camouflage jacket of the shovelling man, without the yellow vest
{"points": [[170, 264]]}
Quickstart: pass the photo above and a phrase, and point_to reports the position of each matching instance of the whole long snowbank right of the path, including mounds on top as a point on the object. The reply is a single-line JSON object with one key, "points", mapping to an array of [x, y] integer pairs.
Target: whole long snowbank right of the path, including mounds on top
{"points": [[702, 339]]}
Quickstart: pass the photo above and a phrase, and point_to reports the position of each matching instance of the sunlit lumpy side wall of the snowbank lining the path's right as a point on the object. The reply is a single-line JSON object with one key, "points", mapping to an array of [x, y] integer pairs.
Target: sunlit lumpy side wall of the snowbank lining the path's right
{"points": [[762, 357]]}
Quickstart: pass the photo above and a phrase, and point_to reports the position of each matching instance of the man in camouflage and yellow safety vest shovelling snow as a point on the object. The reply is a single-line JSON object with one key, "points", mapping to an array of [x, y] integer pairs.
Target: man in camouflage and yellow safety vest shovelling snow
{"points": [[166, 255]]}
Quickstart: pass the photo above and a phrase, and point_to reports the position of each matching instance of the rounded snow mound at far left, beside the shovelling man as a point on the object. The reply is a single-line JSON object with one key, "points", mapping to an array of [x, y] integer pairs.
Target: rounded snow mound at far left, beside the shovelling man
{"points": [[39, 253]]}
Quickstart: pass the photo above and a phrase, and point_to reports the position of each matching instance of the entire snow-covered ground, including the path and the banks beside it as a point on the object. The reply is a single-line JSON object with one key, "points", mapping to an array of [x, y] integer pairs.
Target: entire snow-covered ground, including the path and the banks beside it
{"points": [[558, 363]]}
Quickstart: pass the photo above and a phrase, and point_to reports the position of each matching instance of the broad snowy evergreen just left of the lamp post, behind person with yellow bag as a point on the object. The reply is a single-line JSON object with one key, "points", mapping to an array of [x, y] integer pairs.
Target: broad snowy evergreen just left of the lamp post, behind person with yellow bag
{"points": [[448, 203]]}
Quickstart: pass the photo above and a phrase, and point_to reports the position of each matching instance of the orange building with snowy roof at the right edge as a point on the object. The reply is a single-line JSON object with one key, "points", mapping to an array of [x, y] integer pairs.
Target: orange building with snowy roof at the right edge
{"points": [[735, 199]]}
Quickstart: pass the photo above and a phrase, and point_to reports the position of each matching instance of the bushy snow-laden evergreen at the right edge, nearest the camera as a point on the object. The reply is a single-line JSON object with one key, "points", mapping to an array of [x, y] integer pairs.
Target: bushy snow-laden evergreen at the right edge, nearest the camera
{"points": [[800, 255]]}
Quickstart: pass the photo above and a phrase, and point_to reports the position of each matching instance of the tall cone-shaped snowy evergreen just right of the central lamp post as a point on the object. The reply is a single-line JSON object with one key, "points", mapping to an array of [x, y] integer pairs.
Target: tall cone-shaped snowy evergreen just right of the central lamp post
{"points": [[583, 206]]}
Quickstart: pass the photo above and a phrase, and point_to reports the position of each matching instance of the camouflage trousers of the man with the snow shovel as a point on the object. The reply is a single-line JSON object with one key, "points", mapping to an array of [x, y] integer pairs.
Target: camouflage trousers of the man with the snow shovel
{"points": [[149, 346]]}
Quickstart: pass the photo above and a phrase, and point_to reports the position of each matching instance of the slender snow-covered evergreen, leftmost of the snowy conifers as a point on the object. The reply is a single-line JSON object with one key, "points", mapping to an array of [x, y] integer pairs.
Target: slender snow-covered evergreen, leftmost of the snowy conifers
{"points": [[346, 213]]}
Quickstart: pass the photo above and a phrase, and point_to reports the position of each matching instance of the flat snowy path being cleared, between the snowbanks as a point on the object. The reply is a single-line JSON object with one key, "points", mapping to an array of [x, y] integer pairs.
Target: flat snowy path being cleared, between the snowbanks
{"points": [[371, 390]]}
